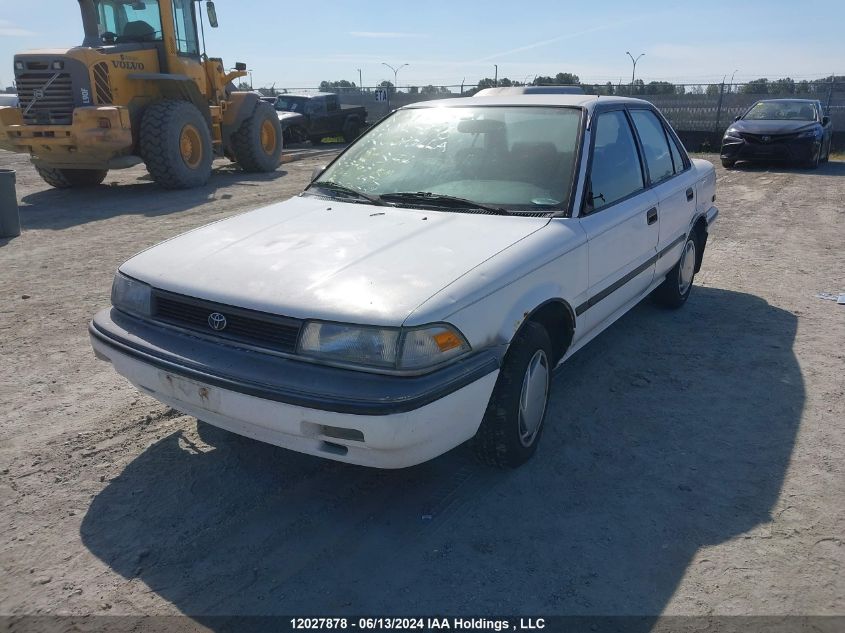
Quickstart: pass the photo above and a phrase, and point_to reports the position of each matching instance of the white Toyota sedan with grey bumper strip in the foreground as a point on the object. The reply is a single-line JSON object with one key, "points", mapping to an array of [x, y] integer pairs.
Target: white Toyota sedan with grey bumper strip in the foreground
{"points": [[421, 290]]}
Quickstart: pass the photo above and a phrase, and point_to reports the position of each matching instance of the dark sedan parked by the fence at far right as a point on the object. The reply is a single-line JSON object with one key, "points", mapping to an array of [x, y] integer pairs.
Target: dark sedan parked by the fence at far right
{"points": [[794, 130]]}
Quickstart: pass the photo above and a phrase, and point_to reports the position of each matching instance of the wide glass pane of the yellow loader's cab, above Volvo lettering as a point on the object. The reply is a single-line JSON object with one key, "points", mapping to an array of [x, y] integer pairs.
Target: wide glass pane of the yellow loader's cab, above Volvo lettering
{"points": [[122, 21]]}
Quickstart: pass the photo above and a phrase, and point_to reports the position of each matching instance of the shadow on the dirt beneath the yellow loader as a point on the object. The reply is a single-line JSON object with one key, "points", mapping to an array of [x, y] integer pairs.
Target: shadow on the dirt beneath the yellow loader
{"points": [[48, 208]]}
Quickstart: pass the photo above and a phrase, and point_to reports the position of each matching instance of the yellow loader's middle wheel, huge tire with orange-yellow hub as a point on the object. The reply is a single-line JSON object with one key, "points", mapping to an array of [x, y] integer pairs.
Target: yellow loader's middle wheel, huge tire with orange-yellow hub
{"points": [[176, 145]]}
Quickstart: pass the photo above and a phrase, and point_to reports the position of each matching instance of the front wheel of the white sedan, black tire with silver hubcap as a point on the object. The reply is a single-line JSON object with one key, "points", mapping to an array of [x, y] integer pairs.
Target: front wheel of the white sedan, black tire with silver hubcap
{"points": [[513, 422]]}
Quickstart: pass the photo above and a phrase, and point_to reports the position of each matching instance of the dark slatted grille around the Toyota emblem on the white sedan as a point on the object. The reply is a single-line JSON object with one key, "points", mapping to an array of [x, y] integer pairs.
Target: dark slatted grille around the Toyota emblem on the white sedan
{"points": [[261, 329]]}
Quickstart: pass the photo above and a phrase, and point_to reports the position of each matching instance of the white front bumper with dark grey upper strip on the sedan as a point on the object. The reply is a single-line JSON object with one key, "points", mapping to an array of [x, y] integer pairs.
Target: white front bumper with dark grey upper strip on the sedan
{"points": [[350, 416]]}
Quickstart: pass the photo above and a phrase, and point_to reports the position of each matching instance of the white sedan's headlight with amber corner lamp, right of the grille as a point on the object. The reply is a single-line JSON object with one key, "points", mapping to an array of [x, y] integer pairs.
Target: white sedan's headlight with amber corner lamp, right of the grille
{"points": [[385, 348]]}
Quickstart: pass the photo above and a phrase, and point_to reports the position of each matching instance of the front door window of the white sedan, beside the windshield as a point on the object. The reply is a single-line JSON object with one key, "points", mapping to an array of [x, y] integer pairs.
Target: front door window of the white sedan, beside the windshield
{"points": [[615, 172]]}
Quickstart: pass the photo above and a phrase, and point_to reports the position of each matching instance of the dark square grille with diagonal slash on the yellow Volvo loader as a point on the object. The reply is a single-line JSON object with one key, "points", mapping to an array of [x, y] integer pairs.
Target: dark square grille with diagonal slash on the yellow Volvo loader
{"points": [[52, 105]]}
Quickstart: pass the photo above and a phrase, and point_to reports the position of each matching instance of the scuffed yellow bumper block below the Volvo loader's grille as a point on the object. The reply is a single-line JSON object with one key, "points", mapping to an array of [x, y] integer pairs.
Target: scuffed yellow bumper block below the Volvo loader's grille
{"points": [[86, 143]]}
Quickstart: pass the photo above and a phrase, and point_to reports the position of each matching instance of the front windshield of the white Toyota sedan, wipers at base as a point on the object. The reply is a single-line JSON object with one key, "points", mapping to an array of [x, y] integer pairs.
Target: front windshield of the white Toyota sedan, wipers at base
{"points": [[516, 157]]}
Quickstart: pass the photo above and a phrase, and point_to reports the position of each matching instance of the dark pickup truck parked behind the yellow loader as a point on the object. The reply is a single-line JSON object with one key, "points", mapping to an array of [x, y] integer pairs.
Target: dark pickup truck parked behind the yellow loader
{"points": [[316, 116]]}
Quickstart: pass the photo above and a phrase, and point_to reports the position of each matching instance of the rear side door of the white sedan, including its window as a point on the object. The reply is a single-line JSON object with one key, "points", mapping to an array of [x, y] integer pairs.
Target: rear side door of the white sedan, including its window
{"points": [[671, 178]]}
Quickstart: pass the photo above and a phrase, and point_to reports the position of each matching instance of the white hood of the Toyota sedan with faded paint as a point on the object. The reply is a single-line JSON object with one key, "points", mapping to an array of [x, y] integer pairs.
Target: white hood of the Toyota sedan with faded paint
{"points": [[311, 257]]}
